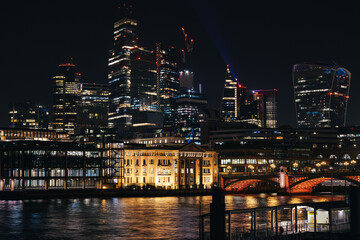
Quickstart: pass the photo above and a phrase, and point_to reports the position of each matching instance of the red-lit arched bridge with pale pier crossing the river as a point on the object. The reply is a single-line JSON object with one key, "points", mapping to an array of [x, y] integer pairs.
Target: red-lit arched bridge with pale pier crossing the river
{"points": [[292, 182]]}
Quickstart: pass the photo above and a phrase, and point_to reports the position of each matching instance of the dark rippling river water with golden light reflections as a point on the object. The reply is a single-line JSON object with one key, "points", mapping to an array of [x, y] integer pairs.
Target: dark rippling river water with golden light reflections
{"points": [[122, 218]]}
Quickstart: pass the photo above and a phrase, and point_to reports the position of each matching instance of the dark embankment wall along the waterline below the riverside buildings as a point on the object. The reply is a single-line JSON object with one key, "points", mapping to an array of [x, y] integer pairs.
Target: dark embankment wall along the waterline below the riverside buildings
{"points": [[98, 193]]}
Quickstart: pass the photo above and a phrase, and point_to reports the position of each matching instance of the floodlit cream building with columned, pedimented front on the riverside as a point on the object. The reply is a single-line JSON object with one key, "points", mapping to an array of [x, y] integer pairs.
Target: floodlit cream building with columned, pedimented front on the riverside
{"points": [[159, 167]]}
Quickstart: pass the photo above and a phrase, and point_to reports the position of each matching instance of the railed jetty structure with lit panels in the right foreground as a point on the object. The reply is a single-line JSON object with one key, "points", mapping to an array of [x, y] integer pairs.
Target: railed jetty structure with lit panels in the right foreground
{"points": [[256, 224]]}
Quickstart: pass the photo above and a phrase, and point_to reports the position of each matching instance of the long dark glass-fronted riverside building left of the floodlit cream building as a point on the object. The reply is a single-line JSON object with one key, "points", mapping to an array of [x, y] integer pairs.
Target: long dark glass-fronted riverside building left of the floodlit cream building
{"points": [[59, 165]]}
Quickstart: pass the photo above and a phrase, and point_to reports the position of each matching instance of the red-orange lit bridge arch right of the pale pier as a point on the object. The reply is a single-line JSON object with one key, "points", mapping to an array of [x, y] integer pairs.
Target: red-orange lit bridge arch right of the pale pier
{"points": [[307, 184]]}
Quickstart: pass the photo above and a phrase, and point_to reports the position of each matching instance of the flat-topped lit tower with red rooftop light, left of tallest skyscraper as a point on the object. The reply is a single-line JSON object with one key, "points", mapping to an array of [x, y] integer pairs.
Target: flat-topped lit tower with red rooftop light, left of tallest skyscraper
{"points": [[66, 94]]}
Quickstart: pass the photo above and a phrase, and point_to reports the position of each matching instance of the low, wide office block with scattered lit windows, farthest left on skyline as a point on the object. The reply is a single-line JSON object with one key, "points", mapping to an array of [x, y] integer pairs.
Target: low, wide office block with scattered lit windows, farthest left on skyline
{"points": [[29, 115]]}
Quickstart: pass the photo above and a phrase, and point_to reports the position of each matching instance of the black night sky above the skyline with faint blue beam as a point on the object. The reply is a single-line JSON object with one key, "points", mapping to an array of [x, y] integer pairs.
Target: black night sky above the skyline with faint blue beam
{"points": [[260, 42]]}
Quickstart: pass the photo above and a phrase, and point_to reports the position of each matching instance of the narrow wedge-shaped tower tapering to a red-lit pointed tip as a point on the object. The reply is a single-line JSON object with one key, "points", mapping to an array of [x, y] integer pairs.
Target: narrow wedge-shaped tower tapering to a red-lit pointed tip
{"points": [[230, 100]]}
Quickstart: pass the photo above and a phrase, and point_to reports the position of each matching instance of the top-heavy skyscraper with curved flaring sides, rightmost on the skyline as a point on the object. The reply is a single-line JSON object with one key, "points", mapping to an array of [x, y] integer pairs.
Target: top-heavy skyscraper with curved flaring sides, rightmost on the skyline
{"points": [[321, 95]]}
